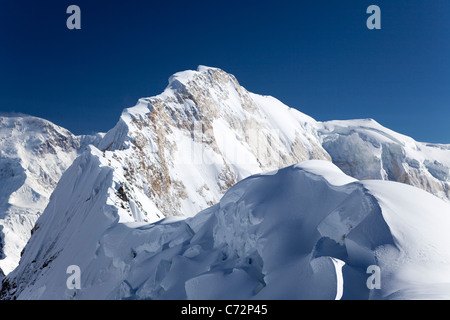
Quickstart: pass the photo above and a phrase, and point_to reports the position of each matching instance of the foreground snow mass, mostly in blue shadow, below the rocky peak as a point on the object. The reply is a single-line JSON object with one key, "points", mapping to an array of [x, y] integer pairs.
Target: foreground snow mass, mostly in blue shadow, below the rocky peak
{"points": [[306, 232]]}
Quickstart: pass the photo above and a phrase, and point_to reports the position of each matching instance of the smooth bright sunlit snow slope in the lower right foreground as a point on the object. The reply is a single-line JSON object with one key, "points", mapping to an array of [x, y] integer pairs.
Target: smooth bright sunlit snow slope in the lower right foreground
{"points": [[420, 267]]}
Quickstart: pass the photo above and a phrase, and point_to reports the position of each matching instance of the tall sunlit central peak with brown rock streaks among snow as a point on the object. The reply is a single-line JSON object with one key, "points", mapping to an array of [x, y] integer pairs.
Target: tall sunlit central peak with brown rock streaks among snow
{"points": [[185, 148]]}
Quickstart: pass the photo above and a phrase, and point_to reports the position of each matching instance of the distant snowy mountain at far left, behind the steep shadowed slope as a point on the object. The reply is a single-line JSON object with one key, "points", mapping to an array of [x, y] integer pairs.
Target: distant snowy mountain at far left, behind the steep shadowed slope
{"points": [[34, 153]]}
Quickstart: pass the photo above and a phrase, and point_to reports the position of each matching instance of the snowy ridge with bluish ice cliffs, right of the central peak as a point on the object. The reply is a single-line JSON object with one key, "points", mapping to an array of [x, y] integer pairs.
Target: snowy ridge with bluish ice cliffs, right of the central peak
{"points": [[364, 149]]}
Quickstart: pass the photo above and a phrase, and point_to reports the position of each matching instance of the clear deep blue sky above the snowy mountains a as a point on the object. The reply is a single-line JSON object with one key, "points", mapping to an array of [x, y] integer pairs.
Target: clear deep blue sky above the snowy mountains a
{"points": [[317, 56]]}
